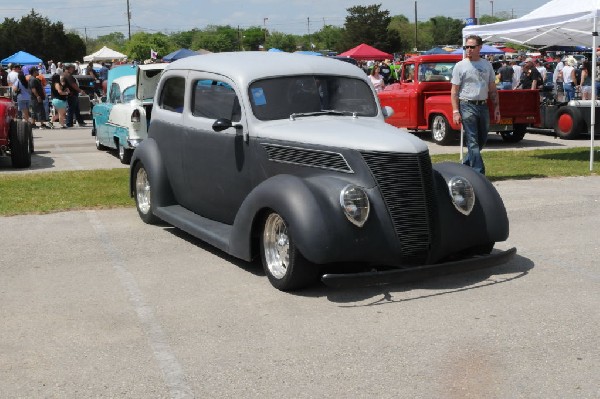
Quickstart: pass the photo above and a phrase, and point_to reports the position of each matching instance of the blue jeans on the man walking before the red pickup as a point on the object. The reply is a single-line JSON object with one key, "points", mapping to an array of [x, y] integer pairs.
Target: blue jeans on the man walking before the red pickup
{"points": [[476, 123]]}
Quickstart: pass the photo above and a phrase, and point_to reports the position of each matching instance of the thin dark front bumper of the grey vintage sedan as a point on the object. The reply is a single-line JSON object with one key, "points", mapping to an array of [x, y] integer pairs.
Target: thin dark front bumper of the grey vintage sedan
{"points": [[417, 273]]}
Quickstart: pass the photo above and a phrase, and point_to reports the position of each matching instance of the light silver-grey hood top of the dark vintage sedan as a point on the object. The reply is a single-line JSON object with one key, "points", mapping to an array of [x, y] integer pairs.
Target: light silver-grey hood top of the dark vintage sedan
{"points": [[366, 134]]}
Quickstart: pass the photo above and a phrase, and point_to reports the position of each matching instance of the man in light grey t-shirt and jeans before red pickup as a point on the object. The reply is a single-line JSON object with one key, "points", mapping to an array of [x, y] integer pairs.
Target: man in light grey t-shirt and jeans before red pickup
{"points": [[473, 82]]}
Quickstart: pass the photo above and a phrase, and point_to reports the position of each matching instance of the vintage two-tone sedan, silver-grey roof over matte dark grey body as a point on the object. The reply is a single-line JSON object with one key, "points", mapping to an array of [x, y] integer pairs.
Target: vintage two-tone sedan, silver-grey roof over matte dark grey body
{"points": [[288, 158]]}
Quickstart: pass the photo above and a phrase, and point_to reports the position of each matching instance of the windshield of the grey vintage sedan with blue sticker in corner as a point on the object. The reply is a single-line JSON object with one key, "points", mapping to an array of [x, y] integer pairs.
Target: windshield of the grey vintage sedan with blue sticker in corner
{"points": [[309, 95]]}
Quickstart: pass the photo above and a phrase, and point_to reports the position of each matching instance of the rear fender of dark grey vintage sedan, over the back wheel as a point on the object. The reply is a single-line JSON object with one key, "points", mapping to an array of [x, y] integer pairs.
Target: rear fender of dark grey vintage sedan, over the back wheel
{"points": [[148, 154]]}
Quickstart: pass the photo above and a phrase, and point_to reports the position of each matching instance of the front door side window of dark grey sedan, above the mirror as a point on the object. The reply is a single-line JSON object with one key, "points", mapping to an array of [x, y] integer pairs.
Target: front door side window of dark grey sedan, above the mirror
{"points": [[214, 99]]}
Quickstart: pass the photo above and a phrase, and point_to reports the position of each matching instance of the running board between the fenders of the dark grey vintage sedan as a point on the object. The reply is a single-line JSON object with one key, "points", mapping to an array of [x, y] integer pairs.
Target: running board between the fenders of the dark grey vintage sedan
{"points": [[214, 233]]}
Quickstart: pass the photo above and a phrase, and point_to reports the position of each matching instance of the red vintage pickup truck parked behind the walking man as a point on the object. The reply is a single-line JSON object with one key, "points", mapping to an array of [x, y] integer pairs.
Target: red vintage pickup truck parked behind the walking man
{"points": [[421, 101]]}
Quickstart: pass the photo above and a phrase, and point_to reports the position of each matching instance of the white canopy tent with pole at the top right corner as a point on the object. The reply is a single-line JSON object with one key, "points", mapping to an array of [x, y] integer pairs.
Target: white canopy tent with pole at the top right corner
{"points": [[558, 22]]}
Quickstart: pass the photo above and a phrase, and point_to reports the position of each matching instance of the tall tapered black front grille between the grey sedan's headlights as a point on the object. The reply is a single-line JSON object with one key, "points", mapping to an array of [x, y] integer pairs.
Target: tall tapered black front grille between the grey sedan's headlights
{"points": [[406, 184]]}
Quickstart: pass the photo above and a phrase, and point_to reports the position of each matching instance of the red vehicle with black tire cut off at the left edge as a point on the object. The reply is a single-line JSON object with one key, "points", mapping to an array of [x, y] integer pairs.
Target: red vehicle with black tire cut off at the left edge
{"points": [[16, 139]]}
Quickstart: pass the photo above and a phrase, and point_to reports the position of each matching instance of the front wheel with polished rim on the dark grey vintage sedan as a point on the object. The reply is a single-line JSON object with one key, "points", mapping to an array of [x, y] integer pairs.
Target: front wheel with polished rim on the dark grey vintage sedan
{"points": [[284, 265]]}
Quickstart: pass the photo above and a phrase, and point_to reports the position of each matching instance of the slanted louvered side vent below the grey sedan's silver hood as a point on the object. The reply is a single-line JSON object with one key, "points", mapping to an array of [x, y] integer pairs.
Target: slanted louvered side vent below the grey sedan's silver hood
{"points": [[307, 157]]}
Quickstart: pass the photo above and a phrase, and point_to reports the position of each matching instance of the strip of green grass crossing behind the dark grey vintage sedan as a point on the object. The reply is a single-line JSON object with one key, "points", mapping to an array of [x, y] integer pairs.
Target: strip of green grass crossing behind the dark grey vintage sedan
{"points": [[101, 189]]}
